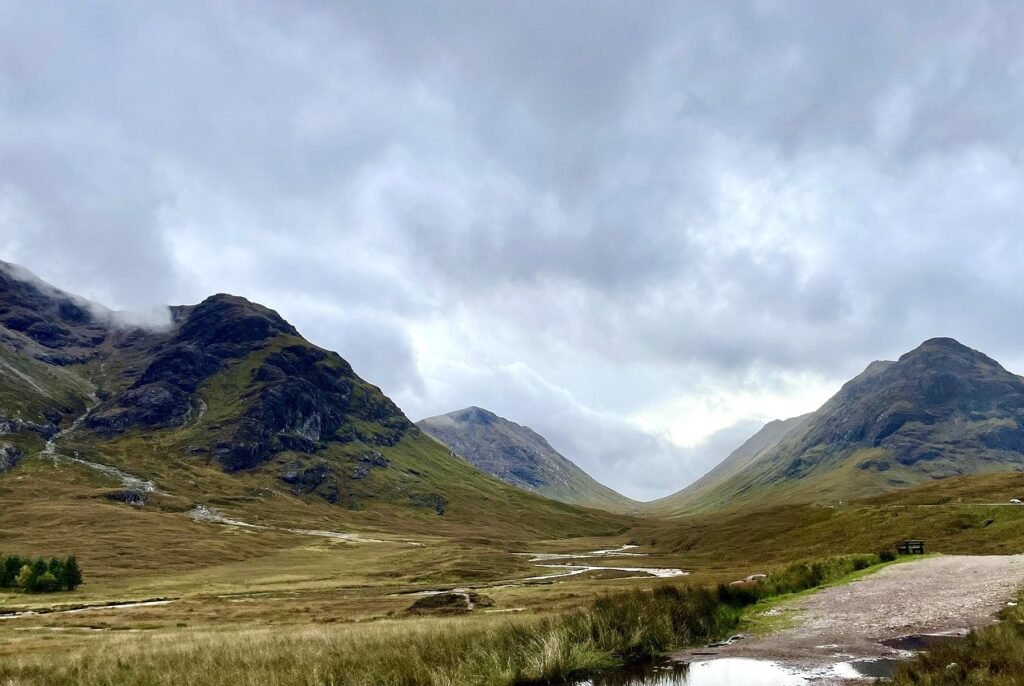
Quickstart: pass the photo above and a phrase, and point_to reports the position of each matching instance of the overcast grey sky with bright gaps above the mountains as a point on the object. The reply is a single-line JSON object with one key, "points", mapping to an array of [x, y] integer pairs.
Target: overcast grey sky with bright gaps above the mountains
{"points": [[642, 229]]}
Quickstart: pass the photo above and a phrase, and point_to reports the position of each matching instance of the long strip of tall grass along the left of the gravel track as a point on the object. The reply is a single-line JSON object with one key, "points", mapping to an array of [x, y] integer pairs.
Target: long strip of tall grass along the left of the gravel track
{"points": [[487, 652]]}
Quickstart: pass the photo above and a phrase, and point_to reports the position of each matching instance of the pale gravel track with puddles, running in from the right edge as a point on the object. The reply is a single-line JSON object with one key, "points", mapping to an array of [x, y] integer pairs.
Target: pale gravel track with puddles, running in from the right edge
{"points": [[931, 596]]}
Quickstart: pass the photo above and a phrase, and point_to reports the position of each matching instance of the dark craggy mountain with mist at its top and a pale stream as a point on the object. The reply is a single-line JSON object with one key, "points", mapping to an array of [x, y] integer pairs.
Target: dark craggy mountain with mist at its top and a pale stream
{"points": [[225, 404]]}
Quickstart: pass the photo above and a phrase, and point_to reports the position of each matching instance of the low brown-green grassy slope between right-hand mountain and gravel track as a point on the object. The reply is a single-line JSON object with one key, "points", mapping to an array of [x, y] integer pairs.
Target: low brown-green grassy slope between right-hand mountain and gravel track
{"points": [[969, 516]]}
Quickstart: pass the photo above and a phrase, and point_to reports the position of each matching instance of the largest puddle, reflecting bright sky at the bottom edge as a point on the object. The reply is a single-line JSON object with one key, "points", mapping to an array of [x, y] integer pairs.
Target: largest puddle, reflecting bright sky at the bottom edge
{"points": [[726, 672]]}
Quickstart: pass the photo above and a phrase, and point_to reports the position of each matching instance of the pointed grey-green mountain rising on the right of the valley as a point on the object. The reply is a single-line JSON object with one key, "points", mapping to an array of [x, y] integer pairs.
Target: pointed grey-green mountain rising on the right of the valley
{"points": [[943, 410]]}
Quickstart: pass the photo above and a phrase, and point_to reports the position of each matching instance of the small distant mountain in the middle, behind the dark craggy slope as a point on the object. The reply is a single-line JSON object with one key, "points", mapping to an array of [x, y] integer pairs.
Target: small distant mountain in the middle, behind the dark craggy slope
{"points": [[521, 457]]}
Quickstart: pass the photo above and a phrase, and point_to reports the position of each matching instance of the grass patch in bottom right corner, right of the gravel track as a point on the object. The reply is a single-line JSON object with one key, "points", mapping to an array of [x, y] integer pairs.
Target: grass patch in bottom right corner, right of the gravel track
{"points": [[994, 657]]}
